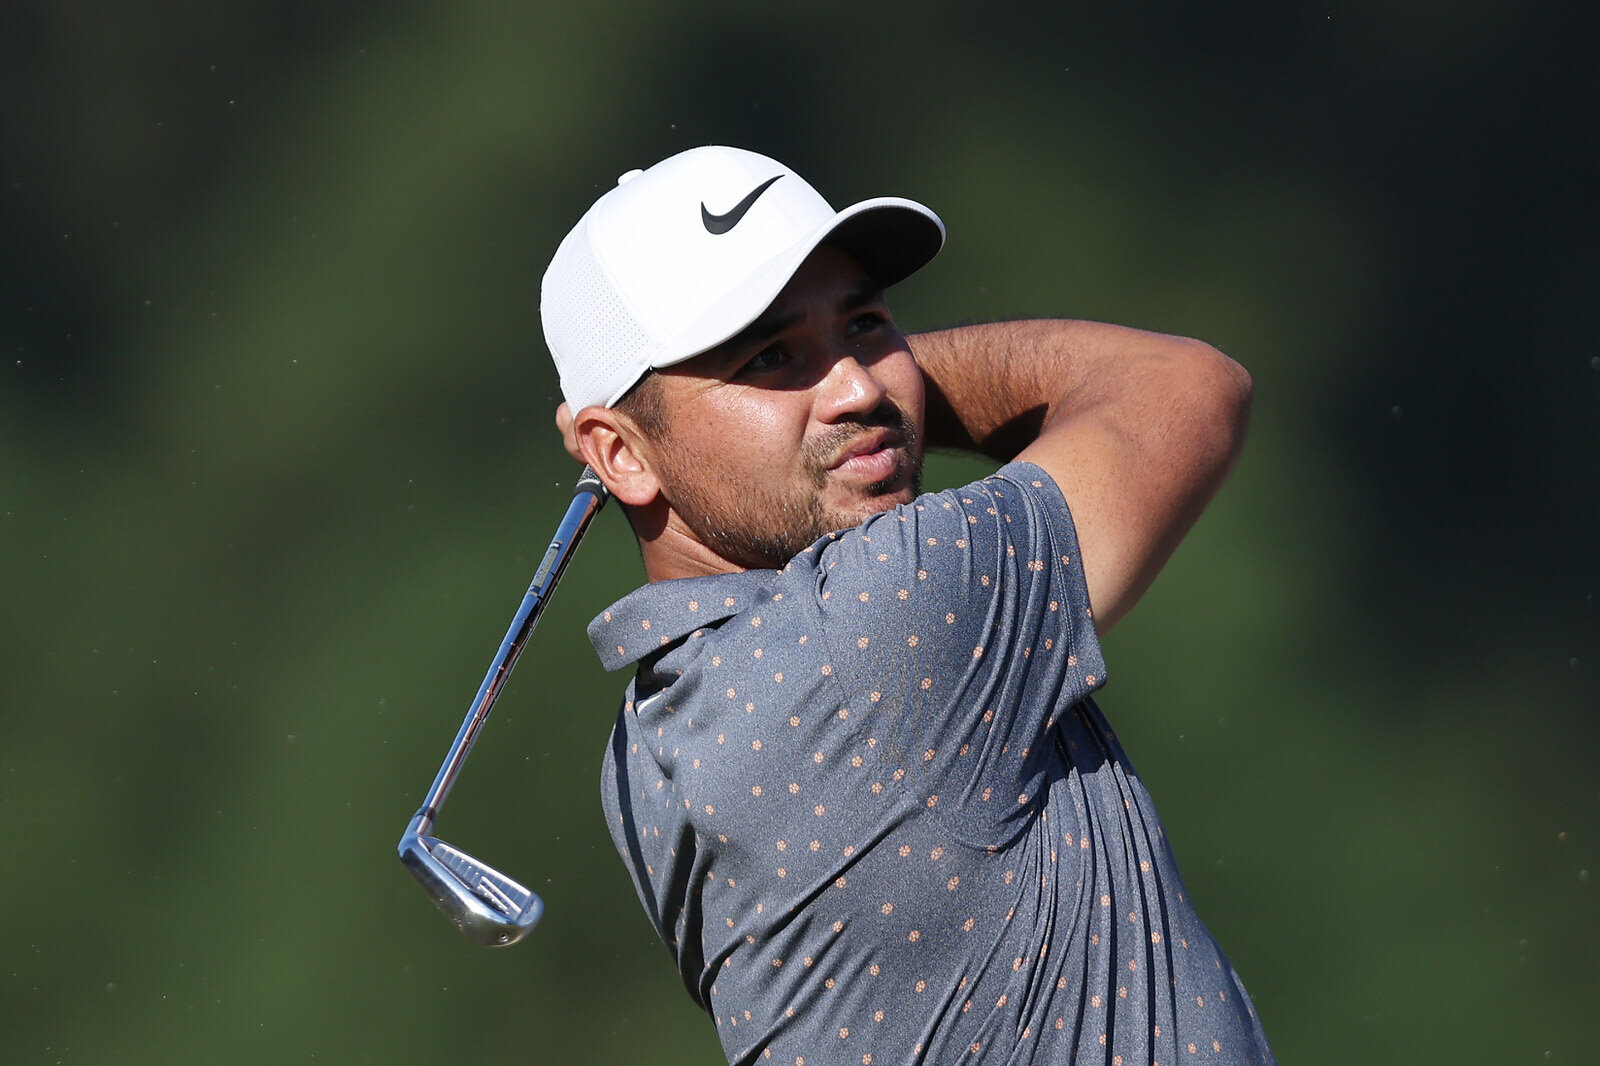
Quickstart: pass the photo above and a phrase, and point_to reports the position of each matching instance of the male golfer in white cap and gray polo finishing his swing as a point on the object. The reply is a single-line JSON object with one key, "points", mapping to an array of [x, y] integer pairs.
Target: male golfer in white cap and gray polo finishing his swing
{"points": [[858, 779]]}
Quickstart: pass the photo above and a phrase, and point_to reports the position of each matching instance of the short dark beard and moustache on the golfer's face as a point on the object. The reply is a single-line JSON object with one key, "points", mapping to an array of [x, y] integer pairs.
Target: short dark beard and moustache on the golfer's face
{"points": [[762, 527]]}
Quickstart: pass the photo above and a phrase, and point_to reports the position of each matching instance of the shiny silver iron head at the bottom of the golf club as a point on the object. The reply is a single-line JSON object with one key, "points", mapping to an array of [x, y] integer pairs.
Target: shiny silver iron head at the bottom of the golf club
{"points": [[486, 905]]}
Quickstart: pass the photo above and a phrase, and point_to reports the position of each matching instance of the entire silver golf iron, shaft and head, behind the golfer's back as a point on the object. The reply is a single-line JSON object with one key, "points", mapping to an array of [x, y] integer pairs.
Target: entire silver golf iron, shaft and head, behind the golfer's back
{"points": [[489, 907]]}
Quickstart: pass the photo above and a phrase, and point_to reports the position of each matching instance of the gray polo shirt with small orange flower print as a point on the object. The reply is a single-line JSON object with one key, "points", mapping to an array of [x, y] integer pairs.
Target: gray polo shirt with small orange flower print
{"points": [[874, 814]]}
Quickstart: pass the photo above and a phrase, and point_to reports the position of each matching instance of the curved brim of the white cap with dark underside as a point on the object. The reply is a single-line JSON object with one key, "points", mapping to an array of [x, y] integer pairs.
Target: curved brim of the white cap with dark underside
{"points": [[890, 238]]}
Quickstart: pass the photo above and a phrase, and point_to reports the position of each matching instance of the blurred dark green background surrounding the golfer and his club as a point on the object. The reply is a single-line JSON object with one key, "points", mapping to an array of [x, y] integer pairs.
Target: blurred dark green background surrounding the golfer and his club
{"points": [[276, 465]]}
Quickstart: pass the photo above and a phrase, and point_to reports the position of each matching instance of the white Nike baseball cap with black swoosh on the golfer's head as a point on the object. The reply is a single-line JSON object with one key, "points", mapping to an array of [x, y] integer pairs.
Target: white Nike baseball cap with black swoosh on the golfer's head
{"points": [[679, 258]]}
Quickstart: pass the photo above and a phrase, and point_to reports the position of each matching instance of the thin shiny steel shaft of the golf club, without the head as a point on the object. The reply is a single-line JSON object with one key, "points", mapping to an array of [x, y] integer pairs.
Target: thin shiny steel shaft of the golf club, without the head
{"points": [[590, 495]]}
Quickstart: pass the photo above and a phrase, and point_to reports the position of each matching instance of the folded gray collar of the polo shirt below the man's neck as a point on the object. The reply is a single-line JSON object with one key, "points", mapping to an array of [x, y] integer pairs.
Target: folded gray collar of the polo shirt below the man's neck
{"points": [[660, 614]]}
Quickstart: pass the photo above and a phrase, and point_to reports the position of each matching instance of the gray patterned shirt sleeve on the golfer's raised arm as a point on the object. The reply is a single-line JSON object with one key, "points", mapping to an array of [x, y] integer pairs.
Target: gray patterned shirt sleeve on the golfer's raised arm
{"points": [[962, 628]]}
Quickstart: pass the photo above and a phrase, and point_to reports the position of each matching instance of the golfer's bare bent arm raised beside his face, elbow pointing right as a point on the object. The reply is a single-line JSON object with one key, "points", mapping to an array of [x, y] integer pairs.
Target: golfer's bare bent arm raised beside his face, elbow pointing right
{"points": [[1140, 430]]}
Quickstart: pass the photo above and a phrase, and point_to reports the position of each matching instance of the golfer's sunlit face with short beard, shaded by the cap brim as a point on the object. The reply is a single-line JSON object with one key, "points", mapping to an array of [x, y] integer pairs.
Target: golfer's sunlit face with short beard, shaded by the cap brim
{"points": [[806, 423]]}
